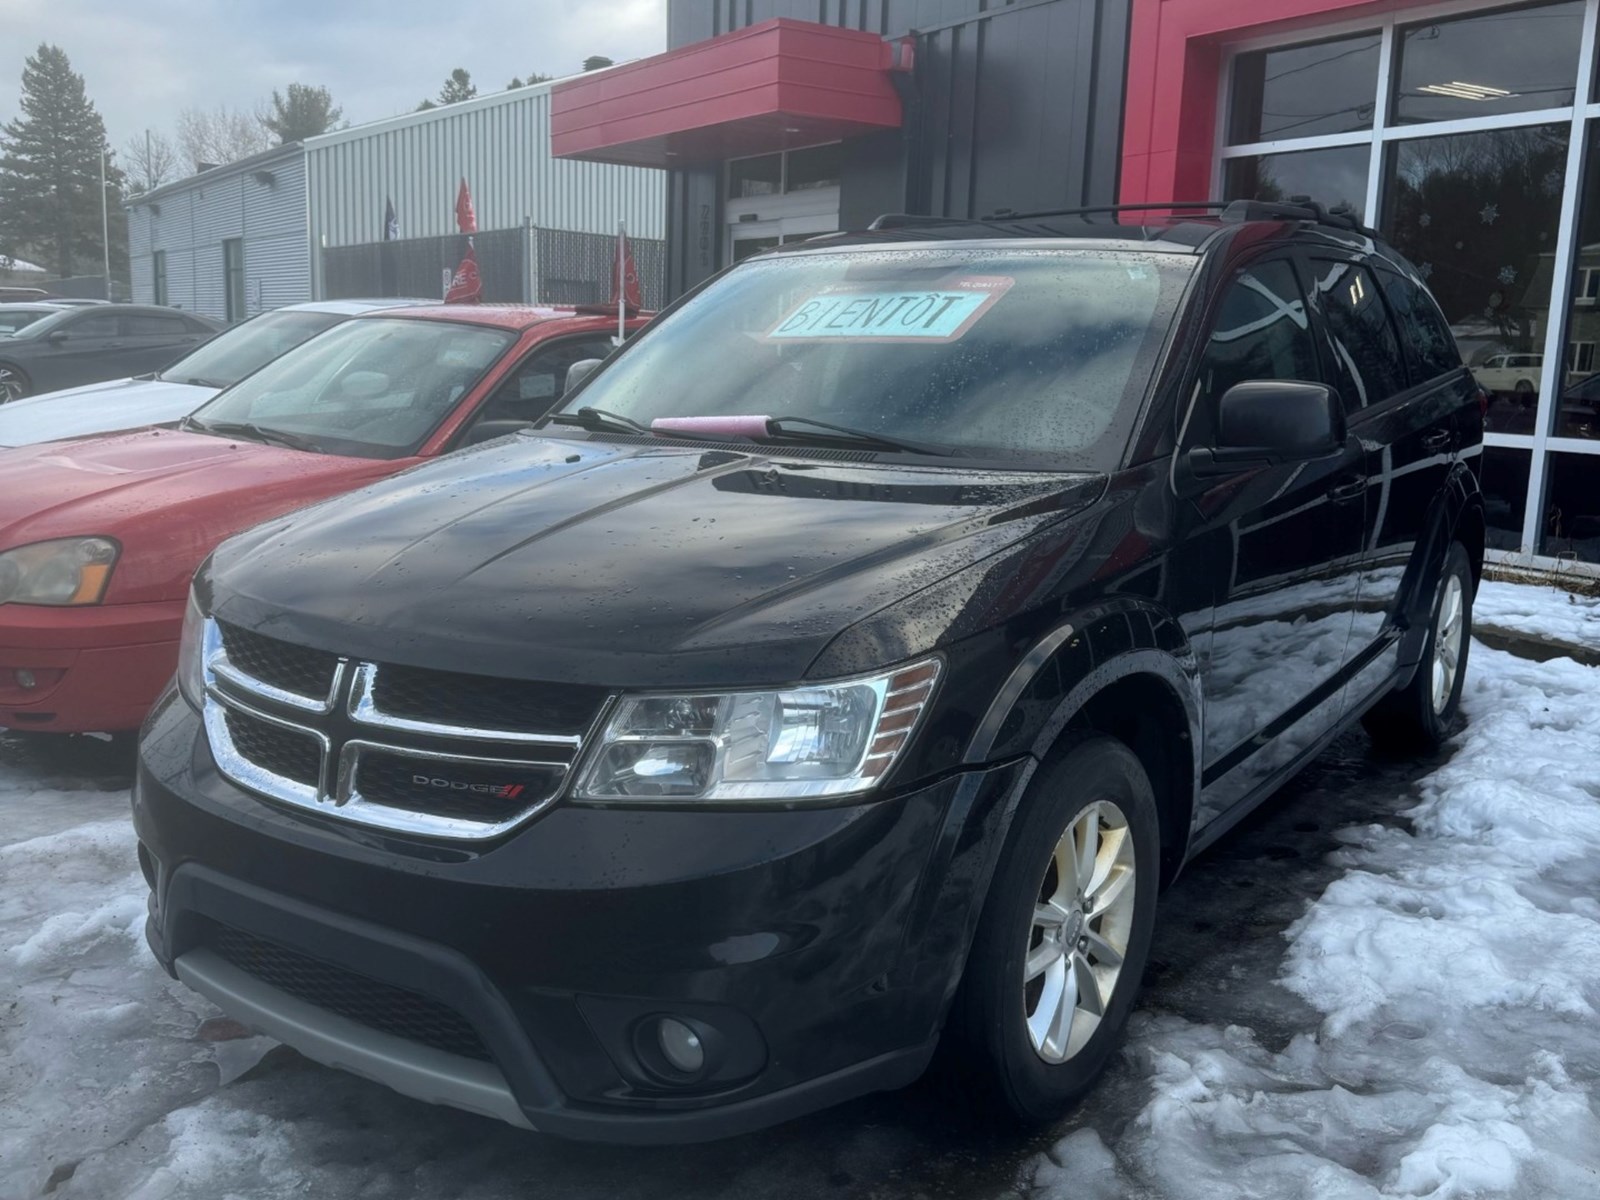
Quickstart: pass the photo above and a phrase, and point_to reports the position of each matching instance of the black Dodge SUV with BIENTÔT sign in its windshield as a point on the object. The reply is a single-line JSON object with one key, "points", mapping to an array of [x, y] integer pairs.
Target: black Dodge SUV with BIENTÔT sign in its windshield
{"points": [[841, 673]]}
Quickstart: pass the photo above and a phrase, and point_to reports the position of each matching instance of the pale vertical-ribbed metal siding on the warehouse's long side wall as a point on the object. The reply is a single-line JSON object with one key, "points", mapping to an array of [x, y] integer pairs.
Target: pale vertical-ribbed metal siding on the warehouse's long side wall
{"points": [[502, 145]]}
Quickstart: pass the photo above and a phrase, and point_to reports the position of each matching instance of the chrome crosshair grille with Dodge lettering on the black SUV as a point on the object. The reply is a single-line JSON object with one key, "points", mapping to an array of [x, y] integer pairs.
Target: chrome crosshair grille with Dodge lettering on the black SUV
{"points": [[471, 772]]}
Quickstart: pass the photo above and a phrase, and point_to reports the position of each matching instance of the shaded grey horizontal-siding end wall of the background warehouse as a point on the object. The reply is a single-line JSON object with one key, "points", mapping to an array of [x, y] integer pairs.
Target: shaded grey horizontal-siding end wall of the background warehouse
{"points": [[262, 202]]}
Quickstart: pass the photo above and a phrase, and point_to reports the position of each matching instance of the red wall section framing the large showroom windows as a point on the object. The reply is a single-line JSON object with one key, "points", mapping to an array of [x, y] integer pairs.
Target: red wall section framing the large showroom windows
{"points": [[1175, 66]]}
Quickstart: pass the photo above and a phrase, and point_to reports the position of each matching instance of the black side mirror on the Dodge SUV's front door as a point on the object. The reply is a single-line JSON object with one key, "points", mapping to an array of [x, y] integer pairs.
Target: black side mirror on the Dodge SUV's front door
{"points": [[1268, 423]]}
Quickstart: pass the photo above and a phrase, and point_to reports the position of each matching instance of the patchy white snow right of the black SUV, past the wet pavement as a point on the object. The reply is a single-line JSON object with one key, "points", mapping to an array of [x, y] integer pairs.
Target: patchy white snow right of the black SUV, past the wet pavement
{"points": [[1457, 967]]}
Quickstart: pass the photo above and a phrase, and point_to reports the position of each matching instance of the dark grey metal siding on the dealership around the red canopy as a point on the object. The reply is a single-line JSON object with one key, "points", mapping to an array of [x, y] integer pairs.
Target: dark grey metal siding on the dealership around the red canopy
{"points": [[1012, 106]]}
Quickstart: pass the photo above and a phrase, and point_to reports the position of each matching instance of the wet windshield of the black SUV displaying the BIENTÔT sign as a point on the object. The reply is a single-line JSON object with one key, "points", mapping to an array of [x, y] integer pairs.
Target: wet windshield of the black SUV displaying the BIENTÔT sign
{"points": [[1012, 354]]}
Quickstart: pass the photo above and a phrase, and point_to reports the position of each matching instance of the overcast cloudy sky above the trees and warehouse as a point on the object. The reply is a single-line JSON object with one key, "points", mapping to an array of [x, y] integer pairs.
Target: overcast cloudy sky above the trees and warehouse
{"points": [[146, 60]]}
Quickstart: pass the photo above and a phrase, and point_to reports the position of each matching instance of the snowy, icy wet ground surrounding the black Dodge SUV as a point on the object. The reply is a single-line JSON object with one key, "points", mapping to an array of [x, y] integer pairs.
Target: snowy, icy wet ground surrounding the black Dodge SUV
{"points": [[1382, 986]]}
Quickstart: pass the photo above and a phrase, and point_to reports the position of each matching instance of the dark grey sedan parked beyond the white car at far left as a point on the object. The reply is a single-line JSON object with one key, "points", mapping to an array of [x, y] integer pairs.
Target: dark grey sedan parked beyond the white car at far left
{"points": [[84, 345]]}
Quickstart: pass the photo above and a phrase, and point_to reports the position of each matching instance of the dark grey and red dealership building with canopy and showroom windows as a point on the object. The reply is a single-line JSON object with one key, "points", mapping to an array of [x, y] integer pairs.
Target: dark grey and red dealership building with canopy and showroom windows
{"points": [[1470, 134]]}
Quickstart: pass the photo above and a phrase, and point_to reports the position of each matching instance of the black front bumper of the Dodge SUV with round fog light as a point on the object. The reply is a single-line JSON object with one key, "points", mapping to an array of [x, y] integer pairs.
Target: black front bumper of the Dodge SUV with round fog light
{"points": [[817, 948]]}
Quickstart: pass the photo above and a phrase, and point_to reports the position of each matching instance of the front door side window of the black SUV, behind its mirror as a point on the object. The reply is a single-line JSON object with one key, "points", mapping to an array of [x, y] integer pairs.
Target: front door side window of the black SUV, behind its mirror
{"points": [[1260, 334]]}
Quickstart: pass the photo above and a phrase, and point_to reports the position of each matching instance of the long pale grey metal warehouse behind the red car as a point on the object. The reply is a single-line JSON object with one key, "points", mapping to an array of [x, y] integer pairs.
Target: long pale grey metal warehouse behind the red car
{"points": [[310, 220]]}
